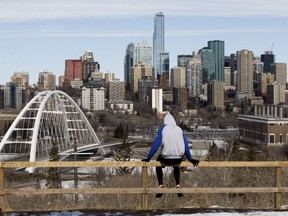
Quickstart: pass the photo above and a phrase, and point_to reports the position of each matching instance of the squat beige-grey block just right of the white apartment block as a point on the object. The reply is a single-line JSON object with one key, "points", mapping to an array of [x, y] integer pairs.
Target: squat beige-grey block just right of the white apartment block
{"points": [[116, 90]]}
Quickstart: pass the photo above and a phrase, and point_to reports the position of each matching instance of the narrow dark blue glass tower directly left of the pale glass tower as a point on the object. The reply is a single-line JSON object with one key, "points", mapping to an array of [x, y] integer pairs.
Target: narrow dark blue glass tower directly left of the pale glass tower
{"points": [[128, 63]]}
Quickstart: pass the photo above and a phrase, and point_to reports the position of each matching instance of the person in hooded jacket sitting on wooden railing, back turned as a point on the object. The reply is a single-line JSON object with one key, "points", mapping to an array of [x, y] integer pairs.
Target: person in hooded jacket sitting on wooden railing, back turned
{"points": [[174, 146]]}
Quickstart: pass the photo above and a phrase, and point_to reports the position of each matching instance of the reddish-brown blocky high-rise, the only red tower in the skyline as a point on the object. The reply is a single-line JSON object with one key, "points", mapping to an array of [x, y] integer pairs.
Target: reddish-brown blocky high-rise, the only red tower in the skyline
{"points": [[73, 69]]}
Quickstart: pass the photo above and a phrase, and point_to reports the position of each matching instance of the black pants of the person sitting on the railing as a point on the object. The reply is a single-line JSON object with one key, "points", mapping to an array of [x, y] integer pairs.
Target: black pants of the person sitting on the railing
{"points": [[175, 163]]}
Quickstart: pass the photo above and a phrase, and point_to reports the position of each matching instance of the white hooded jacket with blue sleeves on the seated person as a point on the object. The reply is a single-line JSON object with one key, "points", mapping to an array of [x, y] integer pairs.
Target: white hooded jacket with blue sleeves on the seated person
{"points": [[172, 137]]}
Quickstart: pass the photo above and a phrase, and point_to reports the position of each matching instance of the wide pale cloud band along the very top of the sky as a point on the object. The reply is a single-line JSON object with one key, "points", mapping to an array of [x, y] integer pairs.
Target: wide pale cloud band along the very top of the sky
{"points": [[19, 10]]}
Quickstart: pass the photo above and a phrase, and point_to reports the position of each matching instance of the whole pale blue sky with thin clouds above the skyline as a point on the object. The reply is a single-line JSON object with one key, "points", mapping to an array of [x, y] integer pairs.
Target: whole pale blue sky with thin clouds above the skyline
{"points": [[40, 35]]}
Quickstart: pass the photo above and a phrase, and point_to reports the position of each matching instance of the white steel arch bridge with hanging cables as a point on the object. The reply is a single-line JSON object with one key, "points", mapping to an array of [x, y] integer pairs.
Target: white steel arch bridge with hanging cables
{"points": [[50, 119]]}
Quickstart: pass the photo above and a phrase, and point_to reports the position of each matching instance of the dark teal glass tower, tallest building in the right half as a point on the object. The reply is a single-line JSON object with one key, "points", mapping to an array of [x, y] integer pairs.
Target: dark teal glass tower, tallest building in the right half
{"points": [[217, 47]]}
